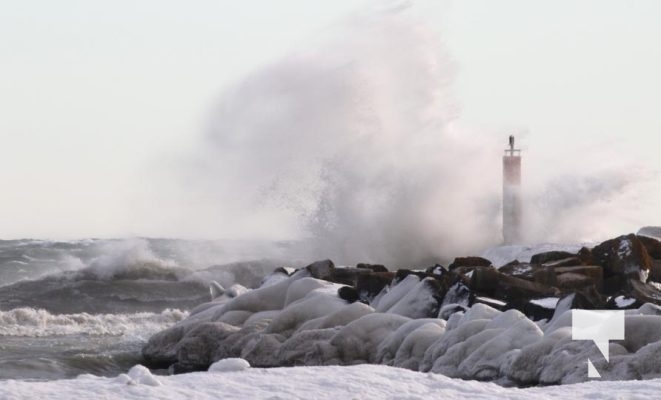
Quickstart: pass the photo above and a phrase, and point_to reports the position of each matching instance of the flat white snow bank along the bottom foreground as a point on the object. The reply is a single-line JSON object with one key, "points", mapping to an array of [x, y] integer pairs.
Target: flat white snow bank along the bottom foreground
{"points": [[332, 382]]}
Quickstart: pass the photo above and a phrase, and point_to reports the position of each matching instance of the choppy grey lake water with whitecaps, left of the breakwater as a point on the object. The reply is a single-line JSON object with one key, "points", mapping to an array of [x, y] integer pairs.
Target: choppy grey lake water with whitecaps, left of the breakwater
{"points": [[88, 306]]}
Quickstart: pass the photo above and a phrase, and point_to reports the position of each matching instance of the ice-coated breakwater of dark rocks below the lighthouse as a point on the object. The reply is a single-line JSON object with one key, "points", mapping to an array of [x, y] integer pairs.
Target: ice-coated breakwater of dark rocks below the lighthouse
{"points": [[469, 320]]}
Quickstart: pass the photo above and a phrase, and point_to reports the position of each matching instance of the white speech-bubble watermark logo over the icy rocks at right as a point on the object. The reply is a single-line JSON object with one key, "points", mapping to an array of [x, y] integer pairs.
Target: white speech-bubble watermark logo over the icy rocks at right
{"points": [[599, 326]]}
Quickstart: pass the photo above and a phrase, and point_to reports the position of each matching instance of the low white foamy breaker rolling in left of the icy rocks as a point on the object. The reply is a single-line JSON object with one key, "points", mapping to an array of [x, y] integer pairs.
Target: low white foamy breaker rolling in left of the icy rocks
{"points": [[31, 322]]}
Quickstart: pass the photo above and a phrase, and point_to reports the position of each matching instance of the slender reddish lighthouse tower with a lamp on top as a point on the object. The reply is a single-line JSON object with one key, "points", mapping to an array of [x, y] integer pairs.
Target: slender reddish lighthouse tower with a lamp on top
{"points": [[512, 194]]}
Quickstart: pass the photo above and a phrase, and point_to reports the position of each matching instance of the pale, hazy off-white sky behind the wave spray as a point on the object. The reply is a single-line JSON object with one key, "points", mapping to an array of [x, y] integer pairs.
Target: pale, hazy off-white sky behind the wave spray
{"points": [[97, 96]]}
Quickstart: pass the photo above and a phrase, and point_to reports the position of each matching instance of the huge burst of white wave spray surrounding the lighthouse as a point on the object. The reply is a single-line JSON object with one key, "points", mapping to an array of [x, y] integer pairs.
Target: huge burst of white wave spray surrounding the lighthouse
{"points": [[352, 147]]}
